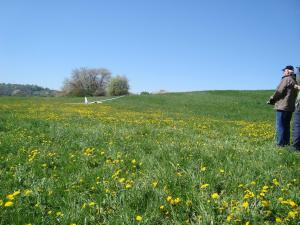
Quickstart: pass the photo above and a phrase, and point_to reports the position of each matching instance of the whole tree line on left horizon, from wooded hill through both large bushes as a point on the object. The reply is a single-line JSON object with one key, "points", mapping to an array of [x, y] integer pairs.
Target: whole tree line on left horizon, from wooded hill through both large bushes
{"points": [[83, 82]]}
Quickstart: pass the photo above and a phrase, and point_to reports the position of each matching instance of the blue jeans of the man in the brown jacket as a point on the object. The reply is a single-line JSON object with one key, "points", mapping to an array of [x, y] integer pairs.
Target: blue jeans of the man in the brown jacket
{"points": [[283, 120]]}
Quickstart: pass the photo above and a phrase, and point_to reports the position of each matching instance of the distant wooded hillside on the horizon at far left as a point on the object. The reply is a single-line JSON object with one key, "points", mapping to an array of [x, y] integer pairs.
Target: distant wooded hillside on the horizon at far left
{"points": [[25, 90]]}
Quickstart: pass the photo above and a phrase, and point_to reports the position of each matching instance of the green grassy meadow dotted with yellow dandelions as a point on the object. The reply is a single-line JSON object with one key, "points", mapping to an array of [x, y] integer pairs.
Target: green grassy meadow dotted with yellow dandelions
{"points": [[182, 158]]}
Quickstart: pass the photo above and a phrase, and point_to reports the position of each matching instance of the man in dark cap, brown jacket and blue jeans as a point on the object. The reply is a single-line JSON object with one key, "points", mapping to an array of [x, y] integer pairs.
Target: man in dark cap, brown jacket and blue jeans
{"points": [[284, 100]]}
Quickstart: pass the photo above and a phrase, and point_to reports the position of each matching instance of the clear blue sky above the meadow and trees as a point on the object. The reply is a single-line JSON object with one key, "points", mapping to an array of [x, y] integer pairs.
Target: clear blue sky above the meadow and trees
{"points": [[174, 45]]}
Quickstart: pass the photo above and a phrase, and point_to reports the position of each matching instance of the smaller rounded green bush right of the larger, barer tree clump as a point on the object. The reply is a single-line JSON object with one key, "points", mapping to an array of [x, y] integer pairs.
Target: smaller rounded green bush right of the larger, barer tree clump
{"points": [[118, 86]]}
